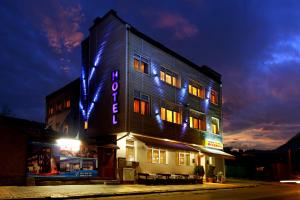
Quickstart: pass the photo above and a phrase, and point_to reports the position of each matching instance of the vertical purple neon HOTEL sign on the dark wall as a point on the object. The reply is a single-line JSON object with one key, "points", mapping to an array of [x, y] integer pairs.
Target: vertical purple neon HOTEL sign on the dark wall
{"points": [[115, 91]]}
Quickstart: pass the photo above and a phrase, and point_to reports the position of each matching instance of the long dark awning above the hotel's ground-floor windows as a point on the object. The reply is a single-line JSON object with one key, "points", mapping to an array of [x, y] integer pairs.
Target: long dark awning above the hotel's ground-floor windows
{"points": [[167, 144]]}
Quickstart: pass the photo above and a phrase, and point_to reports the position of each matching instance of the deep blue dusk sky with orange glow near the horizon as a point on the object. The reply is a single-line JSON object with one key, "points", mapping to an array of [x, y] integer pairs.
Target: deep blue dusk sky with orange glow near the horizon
{"points": [[254, 44]]}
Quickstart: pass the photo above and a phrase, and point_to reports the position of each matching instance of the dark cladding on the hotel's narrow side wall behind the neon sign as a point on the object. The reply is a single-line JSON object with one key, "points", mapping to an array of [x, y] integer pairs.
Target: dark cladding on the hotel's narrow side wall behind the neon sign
{"points": [[110, 35]]}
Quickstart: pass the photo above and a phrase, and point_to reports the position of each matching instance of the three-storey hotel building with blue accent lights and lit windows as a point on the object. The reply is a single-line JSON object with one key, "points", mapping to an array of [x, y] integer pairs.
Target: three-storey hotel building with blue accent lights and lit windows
{"points": [[144, 102]]}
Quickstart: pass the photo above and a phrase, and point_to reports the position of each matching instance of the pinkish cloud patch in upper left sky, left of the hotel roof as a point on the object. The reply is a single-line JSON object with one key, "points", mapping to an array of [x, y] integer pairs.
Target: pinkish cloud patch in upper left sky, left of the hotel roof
{"points": [[62, 29]]}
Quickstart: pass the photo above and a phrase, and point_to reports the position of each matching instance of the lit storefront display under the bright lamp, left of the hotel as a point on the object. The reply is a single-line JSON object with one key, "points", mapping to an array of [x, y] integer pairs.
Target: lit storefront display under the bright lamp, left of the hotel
{"points": [[52, 160]]}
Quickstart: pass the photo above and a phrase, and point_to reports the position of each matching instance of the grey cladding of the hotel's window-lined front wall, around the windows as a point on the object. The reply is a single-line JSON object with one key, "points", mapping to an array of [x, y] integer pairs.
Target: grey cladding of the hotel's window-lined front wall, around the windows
{"points": [[160, 91]]}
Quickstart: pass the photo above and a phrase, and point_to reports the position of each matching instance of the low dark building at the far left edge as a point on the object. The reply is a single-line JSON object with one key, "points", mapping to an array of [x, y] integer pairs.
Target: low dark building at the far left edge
{"points": [[17, 136]]}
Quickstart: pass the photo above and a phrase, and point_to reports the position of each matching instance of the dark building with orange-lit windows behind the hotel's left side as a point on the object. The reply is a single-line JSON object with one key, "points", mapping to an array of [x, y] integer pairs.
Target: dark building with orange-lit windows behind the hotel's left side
{"points": [[62, 109]]}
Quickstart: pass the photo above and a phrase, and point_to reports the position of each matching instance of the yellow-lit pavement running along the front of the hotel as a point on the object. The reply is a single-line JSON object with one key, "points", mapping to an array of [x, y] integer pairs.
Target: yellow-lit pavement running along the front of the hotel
{"points": [[93, 191]]}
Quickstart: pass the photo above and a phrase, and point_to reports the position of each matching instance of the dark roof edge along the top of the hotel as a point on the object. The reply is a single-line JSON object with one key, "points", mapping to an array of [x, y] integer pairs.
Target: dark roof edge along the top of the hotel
{"points": [[203, 69]]}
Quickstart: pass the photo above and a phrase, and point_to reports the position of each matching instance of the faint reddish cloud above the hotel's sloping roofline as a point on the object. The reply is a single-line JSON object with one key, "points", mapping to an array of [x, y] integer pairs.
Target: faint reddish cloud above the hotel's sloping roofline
{"points": [[180, 26]]}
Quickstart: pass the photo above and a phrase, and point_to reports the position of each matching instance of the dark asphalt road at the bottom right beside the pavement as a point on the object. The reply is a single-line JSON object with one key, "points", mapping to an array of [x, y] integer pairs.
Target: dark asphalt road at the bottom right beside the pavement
{"points": [[261, 192]]}
